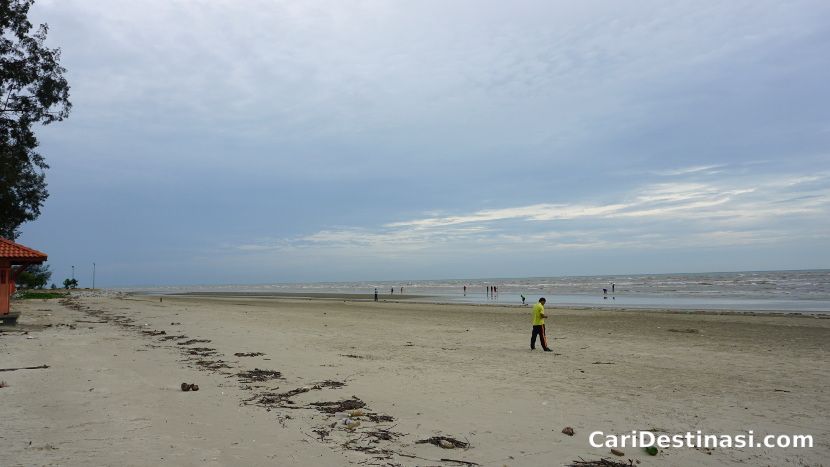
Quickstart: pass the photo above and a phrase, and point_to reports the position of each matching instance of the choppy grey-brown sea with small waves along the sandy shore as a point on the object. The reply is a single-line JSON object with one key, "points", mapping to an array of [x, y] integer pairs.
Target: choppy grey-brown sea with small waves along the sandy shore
{"points": [[801, 291]]}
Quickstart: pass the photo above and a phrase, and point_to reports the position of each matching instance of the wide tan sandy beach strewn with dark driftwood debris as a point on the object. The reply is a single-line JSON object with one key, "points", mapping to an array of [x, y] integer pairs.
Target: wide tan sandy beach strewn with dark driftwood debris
{"points": [[111, 393]]}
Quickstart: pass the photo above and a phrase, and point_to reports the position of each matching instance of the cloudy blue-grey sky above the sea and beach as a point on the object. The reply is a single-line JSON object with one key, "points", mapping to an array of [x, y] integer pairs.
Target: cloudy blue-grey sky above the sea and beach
{"points": [[253, 141]]}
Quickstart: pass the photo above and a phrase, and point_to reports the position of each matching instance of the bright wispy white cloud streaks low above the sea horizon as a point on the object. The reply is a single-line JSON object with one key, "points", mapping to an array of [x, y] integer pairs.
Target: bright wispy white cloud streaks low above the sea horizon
{"points": [[671, 214]]}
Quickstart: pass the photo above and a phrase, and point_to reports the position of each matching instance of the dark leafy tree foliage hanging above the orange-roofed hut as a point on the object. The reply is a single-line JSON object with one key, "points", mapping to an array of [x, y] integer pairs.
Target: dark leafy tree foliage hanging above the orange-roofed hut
{"points": [[33, 91]]}
